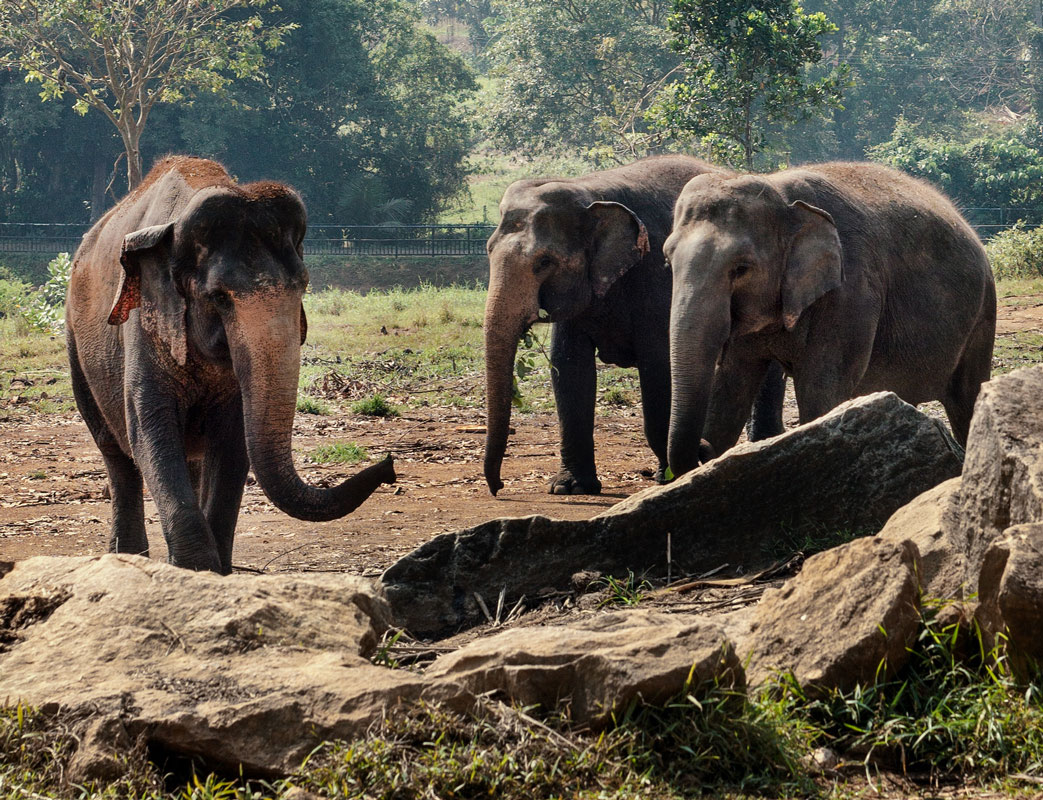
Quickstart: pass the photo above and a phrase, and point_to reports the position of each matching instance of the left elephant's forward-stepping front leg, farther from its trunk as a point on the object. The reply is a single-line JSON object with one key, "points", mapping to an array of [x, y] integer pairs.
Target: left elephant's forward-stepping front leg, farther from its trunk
{"points": [[158, 444]]}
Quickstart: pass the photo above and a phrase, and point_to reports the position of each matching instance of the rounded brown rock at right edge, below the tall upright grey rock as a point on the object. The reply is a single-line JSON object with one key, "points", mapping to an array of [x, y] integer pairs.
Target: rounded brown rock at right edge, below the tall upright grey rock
{"points": [[1010, 611]]}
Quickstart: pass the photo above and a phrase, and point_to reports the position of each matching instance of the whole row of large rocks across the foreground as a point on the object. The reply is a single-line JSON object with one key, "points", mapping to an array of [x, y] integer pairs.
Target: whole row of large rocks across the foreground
{"points": [[254, 671]]}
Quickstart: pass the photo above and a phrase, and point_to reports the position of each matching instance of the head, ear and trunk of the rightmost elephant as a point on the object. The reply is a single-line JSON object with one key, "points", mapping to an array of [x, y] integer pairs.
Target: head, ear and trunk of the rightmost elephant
{"points": [[744, 261]]}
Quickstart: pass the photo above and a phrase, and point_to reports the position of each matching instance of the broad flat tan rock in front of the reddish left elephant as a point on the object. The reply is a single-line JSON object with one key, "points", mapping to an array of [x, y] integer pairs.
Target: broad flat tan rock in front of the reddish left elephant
{"points": [[240, 670]]}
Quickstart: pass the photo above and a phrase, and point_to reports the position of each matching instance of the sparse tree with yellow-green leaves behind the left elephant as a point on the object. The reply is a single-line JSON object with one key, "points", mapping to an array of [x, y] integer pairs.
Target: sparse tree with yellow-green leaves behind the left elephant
{"points": [[124, 58]]}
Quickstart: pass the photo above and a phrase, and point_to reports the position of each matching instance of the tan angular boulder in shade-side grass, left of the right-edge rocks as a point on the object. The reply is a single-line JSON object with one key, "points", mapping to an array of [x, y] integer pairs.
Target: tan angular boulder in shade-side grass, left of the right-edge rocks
{"points": [[850, 611]]}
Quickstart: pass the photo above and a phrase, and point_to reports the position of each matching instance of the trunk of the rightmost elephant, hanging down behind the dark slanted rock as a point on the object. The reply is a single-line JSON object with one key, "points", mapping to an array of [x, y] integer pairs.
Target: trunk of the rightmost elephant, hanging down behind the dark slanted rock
{"points": [[696, 342]]}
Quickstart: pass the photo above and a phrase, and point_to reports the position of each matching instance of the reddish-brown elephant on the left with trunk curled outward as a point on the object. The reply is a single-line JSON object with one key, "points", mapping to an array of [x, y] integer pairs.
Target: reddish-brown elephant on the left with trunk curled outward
{"points": [[185, 323]]}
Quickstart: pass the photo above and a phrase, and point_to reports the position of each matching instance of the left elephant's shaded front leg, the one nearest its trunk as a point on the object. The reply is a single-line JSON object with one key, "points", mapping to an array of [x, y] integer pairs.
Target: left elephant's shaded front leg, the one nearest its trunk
{"points": [[224, 476]]}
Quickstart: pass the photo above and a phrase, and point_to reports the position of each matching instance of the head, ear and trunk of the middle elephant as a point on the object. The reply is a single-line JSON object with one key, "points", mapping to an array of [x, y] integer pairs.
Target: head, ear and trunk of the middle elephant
{"points": [[557, 251]]}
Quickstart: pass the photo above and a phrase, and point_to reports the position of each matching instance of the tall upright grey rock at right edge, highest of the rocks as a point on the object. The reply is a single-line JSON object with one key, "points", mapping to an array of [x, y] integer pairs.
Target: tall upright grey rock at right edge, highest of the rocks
{"points": [[1003, 479]]}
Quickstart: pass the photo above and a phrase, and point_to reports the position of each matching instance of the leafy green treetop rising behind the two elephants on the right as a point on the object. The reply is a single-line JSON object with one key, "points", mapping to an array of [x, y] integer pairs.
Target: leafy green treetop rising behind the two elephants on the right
{"points": [[745, 66]]}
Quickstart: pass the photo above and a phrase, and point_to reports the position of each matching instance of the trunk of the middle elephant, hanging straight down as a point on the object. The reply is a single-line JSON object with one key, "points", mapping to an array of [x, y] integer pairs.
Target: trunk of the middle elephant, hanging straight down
{"points": [[506, 320]]}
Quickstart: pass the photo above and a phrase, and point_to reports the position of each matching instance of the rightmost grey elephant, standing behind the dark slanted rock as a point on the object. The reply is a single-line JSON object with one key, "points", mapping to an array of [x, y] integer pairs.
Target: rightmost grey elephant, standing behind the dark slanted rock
{"points": [[856, 278]]}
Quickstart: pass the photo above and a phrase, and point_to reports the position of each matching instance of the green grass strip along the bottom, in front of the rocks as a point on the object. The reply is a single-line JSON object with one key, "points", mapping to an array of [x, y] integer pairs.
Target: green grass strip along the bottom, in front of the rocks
{"points": [[953, 715]]}
